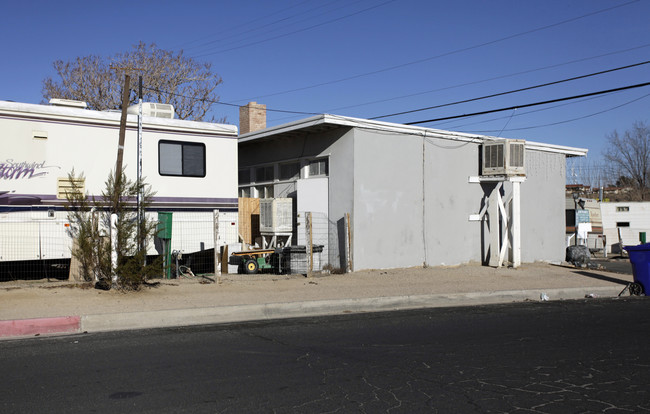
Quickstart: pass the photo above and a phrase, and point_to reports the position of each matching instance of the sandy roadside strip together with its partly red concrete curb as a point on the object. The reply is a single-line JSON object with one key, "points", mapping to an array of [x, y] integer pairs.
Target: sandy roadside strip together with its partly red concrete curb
{"points": [[30, 308]]}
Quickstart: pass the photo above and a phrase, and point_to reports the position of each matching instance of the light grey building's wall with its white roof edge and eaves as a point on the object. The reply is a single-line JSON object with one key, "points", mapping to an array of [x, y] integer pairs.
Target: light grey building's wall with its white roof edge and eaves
{"points": [[409, 194]]}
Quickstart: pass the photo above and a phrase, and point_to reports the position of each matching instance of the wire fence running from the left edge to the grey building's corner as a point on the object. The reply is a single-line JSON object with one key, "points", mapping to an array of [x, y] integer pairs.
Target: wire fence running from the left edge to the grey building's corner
{"points": [[37, 245]]}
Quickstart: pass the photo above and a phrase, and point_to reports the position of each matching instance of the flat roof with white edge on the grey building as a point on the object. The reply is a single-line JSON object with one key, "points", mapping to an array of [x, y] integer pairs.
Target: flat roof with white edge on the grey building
{"points": [[323, 122]]}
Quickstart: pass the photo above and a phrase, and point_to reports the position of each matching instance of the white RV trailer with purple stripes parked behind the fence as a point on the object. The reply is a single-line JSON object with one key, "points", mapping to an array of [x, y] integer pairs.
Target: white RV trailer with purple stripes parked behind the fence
{"points": [[192, 167]]}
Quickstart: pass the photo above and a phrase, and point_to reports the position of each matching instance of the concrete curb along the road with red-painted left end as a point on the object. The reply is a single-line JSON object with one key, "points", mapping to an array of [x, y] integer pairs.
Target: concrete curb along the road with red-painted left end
{"points": [[269, 311]]}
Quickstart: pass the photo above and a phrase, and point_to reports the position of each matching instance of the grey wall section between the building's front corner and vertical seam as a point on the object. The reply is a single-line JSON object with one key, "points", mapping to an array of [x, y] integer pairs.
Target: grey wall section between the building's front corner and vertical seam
{"points": [[388, 202]]}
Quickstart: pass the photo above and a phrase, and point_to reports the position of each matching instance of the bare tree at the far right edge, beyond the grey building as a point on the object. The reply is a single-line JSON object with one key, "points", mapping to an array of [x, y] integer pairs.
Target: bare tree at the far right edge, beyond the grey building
{"points": [[629, 156]]}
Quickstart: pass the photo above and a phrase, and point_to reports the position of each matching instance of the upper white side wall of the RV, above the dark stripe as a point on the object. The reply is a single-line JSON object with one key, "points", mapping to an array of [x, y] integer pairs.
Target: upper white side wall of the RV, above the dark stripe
{"points": [[87, 141]]}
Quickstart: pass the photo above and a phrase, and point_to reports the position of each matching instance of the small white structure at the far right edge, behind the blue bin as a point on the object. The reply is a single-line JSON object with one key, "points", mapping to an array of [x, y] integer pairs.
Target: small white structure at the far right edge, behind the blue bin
{"points": [[638, 216]]}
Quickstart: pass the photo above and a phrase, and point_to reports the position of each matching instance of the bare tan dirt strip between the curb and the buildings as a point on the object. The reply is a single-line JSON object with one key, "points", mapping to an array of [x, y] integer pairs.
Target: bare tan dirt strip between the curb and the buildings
{"points": [[32, 299]]}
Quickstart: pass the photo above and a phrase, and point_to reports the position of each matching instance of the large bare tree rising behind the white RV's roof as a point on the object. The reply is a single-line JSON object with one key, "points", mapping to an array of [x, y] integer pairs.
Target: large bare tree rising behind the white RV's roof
{"points": [[168, 77]]}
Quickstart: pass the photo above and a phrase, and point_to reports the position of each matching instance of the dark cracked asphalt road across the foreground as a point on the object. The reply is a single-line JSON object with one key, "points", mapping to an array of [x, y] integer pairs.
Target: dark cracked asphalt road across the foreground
{"points": [[574, 356]]}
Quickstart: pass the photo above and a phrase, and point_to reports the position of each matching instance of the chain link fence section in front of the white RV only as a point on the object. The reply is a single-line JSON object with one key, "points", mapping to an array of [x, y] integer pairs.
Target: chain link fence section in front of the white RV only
{"points": [[37, 245]]}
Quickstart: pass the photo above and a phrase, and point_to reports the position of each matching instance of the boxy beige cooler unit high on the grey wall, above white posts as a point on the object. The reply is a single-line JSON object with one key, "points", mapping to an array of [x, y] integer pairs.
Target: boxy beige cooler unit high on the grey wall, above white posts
{"points": [[504, 157]]}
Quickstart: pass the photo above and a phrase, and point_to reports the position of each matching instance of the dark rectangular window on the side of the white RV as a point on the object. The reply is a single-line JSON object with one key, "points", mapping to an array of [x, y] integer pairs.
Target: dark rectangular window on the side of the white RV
{"points": [[181, 159]]}
